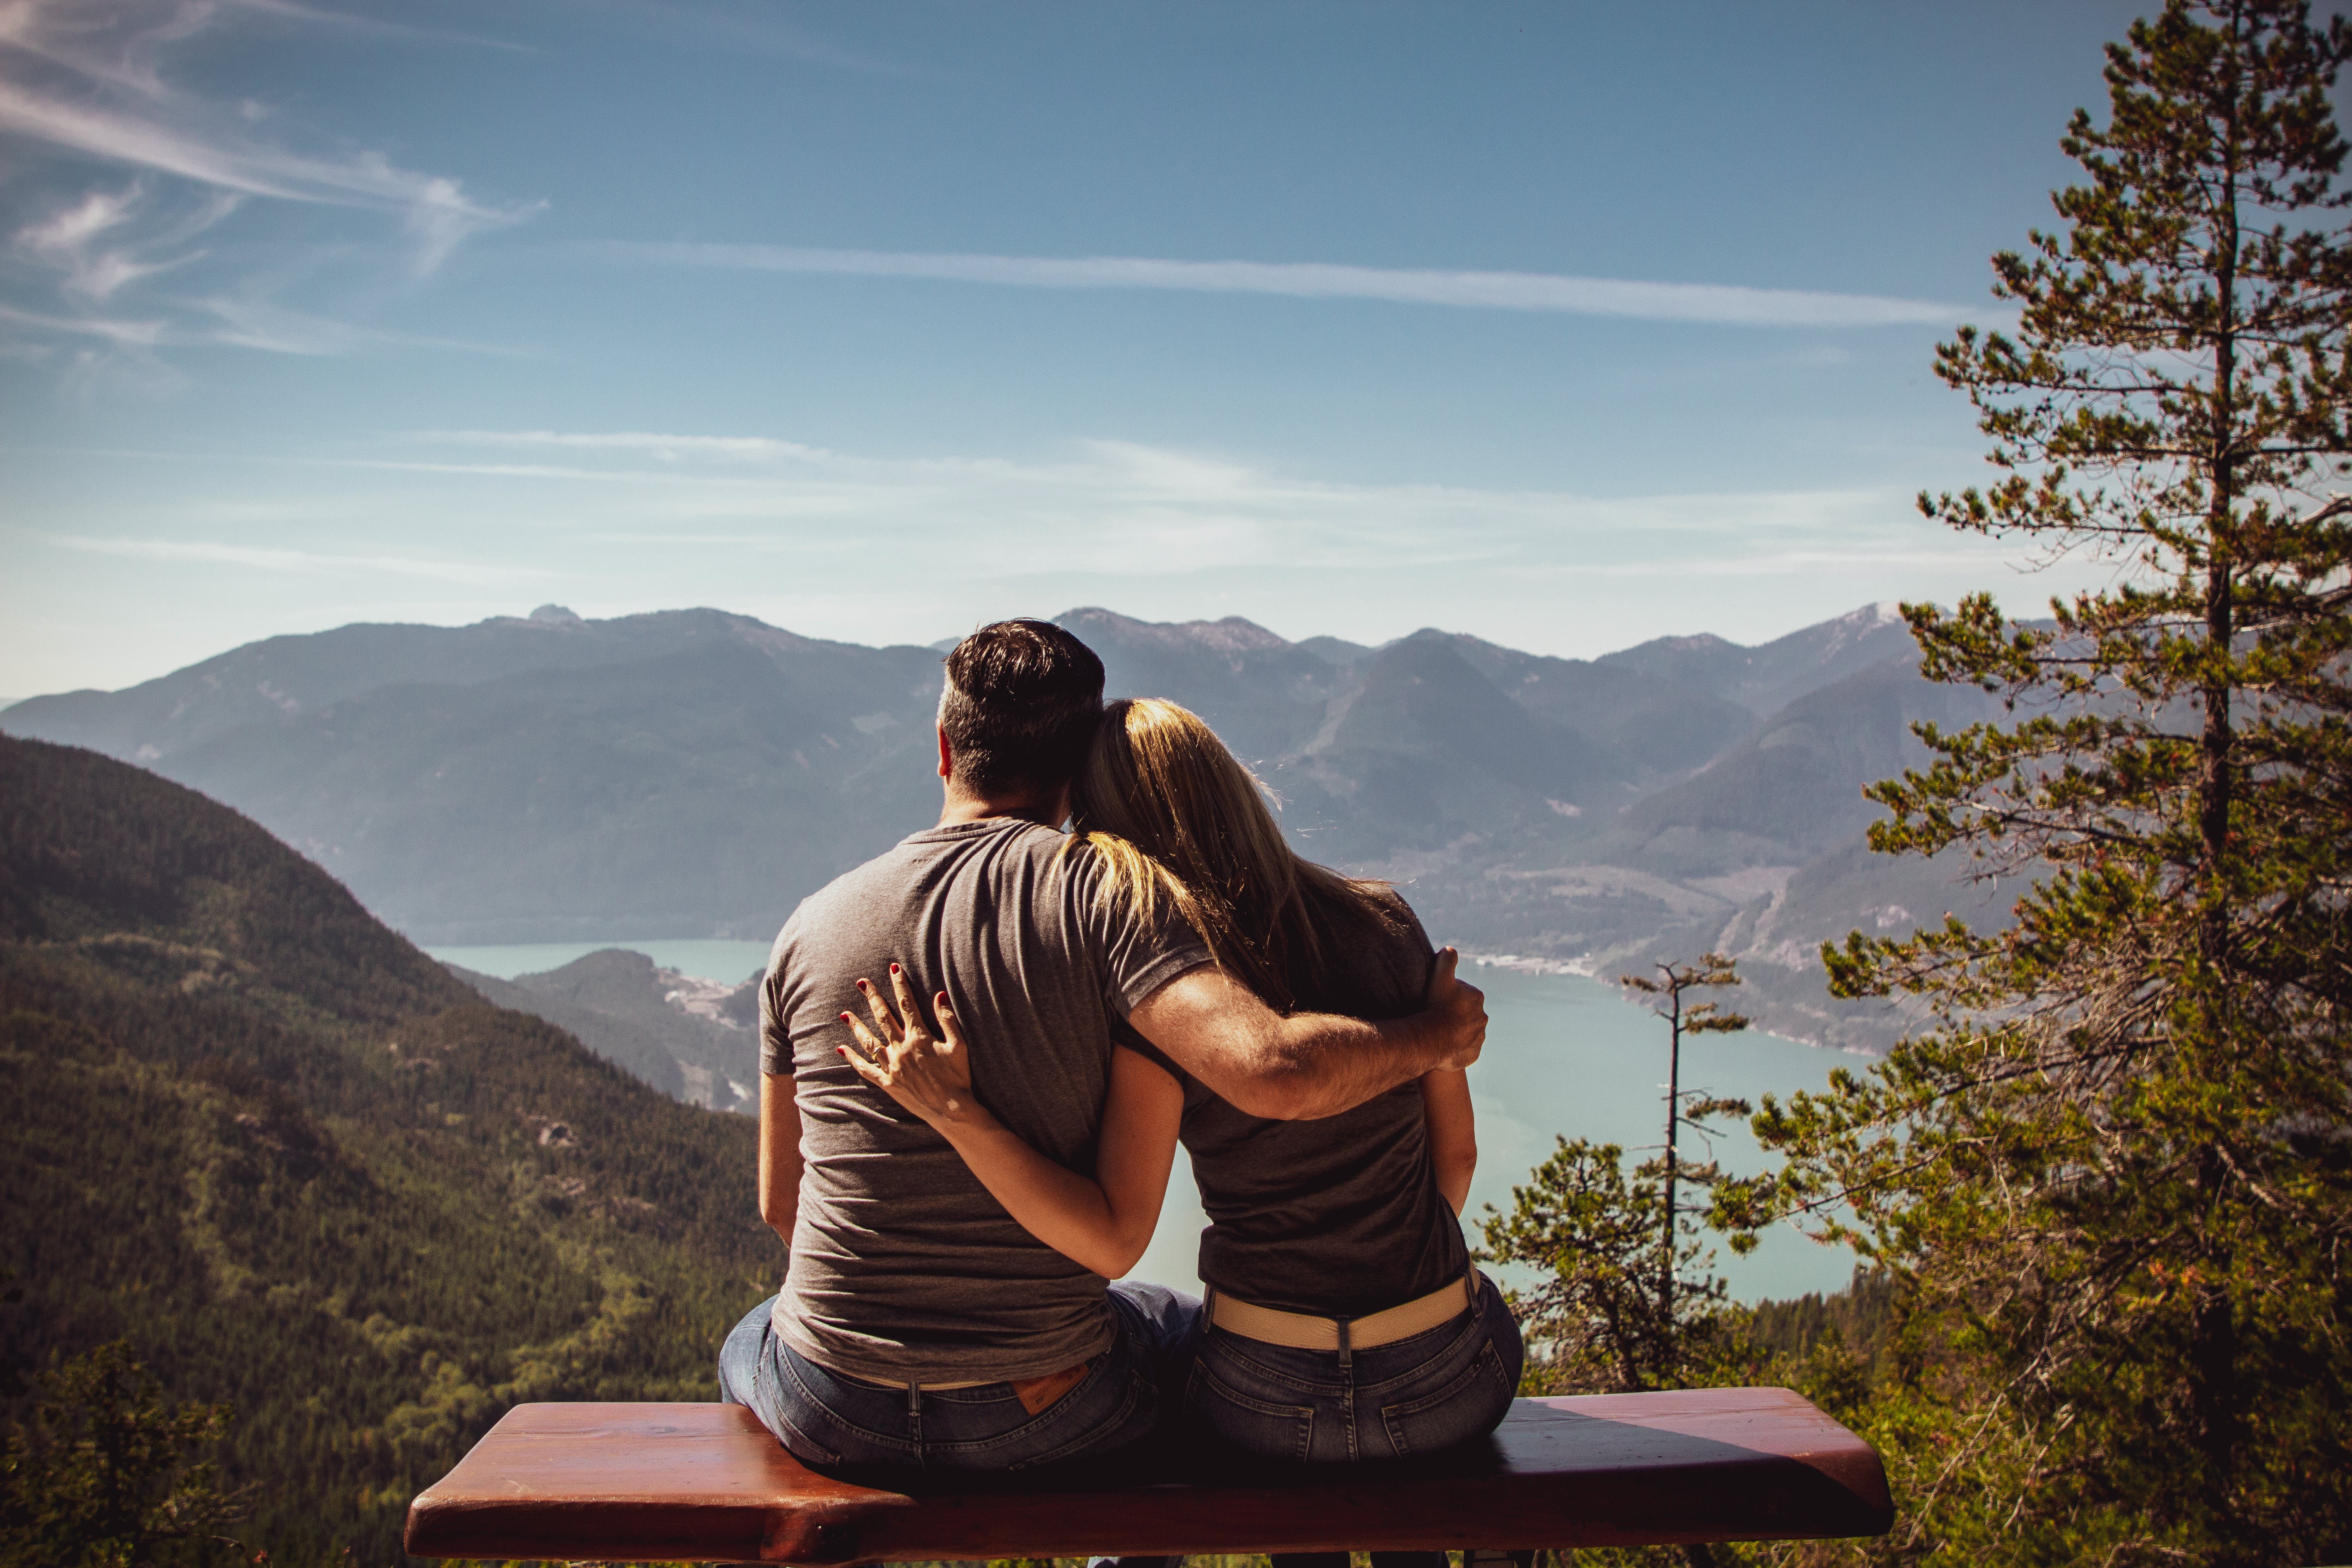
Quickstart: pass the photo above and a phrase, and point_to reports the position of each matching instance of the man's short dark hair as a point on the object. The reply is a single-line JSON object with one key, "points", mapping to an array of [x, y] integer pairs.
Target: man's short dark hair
{"points": [[1022, 706]]}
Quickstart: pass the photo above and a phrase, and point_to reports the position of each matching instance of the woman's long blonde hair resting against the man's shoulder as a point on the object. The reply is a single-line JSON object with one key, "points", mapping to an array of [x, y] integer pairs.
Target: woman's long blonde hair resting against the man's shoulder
{"points": [[1182, 824]]}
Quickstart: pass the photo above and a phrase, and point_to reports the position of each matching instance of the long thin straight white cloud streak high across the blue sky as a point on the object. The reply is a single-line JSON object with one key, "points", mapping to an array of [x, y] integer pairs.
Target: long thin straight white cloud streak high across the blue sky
{"points": [[1553, 293]]}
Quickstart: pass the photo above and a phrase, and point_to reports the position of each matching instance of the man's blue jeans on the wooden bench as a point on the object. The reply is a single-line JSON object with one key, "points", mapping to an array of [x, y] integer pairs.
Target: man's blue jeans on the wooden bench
{"points": [[843, 1423]]}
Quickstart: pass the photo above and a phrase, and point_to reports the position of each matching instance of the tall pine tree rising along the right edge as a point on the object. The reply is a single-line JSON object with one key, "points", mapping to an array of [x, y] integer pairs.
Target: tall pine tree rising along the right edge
{"points": [[2116, 1165]]}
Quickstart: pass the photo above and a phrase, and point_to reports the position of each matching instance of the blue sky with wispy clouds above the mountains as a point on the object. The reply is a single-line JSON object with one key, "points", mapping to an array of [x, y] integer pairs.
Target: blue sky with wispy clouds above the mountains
{"points": [[1565, 326]]}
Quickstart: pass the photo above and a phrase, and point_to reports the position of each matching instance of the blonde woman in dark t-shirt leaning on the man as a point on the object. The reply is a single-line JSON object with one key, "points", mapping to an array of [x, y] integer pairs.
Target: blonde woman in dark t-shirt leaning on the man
{"points": [[1344, 1318]]}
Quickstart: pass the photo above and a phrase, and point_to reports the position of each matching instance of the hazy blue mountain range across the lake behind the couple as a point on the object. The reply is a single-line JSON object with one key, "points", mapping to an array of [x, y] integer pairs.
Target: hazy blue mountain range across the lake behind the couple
{"points": [[700, 772]]}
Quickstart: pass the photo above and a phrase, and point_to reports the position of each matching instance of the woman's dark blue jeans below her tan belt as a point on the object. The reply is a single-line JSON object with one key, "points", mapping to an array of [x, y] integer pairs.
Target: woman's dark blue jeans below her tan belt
{"points": [[1417, 1395]]}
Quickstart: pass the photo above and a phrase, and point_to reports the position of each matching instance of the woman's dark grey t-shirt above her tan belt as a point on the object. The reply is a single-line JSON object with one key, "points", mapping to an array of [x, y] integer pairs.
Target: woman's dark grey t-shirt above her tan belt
{"points": [[1337, 1217]]}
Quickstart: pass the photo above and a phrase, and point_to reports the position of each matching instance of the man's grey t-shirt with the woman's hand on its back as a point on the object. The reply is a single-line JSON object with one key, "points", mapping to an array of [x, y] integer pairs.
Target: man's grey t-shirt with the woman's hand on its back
{"points": [[904, 1268]]}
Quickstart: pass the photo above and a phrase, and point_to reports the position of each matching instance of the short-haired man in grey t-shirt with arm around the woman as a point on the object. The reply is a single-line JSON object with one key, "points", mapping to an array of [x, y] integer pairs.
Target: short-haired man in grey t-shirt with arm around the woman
{"points": [[918, 1322]]}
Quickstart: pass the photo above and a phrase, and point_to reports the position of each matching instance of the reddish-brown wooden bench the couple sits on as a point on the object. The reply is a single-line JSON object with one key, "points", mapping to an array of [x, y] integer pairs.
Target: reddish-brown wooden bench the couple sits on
{"points": [[704, 1482]]}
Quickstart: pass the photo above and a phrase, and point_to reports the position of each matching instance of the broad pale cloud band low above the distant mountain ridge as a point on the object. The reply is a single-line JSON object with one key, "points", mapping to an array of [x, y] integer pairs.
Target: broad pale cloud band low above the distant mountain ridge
{"points": [[1114, 509]]}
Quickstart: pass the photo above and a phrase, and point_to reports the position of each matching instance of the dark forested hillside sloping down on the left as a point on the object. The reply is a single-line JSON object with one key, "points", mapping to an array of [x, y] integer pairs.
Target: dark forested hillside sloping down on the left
{"points": [[309, 1172]]}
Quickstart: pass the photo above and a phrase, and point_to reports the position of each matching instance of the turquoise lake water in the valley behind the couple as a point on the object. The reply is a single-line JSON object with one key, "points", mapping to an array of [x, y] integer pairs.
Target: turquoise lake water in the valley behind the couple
{"points": [[1565, 1057]]}
